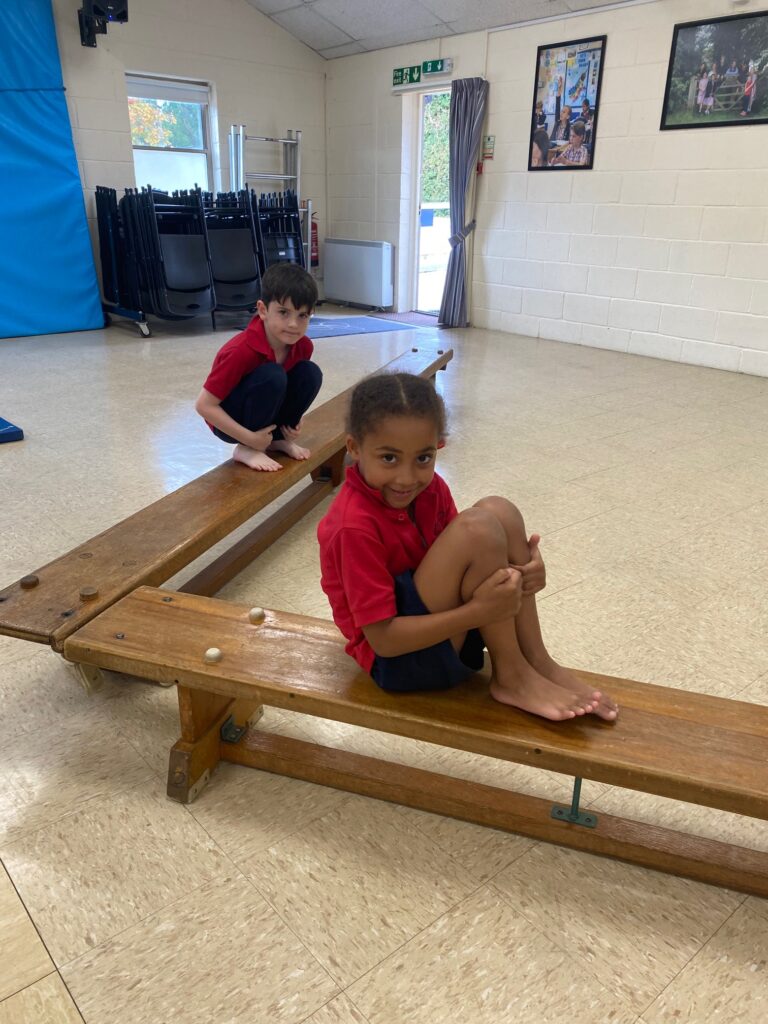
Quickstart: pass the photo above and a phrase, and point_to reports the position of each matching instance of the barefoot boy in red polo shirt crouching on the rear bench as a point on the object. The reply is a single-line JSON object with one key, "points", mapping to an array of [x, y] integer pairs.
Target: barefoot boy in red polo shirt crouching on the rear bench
{"points": [[263, 380]]}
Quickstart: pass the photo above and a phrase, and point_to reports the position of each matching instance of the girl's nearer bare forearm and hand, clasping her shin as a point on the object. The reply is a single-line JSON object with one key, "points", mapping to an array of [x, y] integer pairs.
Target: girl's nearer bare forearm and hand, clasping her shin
{"points": [[497, 599]]}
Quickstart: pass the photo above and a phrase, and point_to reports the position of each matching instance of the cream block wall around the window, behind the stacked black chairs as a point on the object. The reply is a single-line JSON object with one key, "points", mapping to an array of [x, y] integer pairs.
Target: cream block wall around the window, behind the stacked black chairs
{"points": [[262, 77]]}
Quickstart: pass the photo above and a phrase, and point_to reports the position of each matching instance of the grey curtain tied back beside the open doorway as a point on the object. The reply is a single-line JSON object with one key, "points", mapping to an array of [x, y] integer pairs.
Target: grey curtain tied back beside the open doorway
{"points": [[468, 99]]}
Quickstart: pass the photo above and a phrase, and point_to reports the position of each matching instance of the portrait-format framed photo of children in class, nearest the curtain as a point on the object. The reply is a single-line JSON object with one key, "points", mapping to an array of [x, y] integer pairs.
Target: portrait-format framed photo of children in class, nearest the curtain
{"points": [[567, 100]]}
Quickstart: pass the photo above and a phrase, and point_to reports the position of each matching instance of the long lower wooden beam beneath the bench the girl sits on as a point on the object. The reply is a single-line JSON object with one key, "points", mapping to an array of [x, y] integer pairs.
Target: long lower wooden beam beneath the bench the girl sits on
{"points": [[650, 846]]}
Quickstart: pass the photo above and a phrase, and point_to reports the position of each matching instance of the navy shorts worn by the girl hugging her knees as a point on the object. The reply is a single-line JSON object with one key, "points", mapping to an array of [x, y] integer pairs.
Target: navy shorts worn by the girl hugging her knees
{"points": [[436, 668]]}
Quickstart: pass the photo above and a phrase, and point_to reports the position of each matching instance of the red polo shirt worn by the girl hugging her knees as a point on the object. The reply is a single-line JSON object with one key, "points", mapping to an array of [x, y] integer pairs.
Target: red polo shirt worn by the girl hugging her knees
{"points": [[365, 544]]}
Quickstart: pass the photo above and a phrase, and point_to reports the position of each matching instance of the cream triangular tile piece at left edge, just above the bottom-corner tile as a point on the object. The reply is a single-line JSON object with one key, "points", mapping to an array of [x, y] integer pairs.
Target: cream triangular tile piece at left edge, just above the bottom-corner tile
{"points": [[25, 959]]}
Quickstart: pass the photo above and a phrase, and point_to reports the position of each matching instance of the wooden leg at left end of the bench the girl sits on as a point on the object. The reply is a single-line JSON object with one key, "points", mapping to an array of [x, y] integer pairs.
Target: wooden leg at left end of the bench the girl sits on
{"points": [[198, 752]]}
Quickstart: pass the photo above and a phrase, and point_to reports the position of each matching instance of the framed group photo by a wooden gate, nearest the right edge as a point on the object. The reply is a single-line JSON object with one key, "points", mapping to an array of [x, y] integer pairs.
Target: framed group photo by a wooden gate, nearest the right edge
{"points": [[718, 73]]}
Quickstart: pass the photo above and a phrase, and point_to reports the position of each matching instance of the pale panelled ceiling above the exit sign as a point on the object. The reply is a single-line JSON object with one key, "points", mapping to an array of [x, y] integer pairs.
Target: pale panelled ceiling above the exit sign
{"points": [[338, 28]]}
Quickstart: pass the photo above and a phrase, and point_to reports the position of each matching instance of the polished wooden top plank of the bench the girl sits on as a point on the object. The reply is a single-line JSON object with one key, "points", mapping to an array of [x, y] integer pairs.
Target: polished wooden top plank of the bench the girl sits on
{"points": [[686, 746]]}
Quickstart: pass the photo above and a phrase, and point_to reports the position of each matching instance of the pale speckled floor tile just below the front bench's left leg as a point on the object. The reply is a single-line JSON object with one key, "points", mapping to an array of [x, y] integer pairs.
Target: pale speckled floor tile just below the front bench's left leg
{"points": [[105, 868]]}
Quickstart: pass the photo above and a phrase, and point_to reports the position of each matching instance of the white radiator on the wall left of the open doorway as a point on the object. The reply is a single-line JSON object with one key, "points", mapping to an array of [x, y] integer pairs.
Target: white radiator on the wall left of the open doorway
{"points": [[360, 273]]}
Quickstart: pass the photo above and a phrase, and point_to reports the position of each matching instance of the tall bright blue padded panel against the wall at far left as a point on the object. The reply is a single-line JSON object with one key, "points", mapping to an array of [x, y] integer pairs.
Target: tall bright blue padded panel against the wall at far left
{"points": [[48, 279]]}
